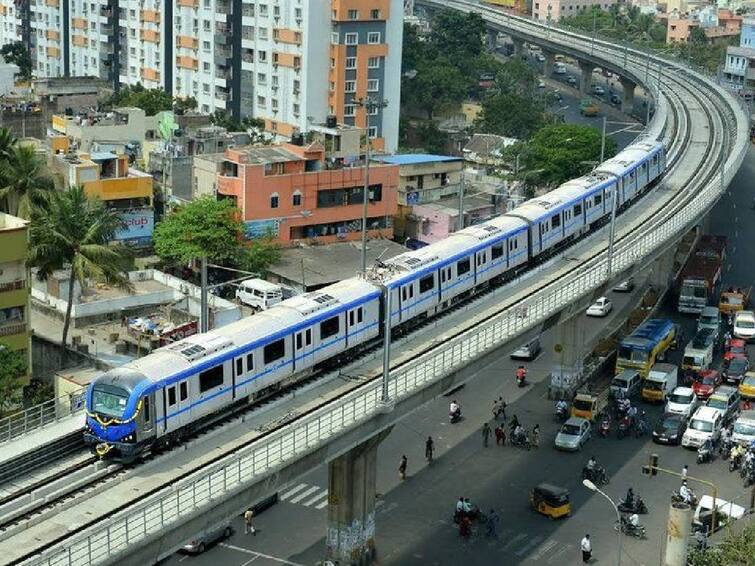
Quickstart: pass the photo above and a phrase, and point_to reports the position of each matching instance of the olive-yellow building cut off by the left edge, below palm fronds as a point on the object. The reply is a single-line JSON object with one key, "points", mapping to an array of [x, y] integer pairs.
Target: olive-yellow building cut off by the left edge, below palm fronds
{"points": [[14, 284]]}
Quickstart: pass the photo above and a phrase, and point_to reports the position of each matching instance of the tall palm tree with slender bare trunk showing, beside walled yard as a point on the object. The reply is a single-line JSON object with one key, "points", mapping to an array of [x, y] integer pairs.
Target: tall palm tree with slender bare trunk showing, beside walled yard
{"points": [[78, 231]]}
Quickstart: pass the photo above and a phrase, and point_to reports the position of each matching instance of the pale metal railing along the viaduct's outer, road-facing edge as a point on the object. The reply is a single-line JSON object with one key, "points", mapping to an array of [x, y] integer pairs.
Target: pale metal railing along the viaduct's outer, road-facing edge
{"points": [[175, 504]]}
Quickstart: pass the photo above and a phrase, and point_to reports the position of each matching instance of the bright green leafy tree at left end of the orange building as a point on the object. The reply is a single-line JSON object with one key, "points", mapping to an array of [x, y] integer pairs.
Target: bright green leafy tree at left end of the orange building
{"points": [[204, 227]]}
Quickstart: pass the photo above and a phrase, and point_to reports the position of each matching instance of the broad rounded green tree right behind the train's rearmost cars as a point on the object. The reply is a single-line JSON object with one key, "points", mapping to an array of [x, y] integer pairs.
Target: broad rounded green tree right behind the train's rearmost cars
{"points": [[560, 152]]}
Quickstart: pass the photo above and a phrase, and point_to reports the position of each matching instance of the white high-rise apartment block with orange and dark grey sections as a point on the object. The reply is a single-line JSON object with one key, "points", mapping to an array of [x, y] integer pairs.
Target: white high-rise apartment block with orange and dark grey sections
{"points": [[291, 63]]}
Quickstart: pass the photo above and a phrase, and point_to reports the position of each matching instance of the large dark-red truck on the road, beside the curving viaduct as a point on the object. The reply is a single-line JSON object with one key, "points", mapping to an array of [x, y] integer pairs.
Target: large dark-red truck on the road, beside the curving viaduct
{"points": [[700, 277]]}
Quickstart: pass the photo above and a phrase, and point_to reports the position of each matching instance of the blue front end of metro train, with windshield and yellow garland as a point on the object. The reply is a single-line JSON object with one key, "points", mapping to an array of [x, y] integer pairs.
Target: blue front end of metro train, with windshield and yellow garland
{"points": [[115, 410]]}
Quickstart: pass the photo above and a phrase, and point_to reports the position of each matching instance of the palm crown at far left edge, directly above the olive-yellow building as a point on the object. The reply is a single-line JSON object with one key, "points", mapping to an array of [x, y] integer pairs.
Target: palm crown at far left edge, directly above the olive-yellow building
{"points": [[26, 182]]}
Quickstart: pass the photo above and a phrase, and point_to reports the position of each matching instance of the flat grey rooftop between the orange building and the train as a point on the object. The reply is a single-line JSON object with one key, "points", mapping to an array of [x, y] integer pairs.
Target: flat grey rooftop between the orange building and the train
{"points": [[323, 265]]}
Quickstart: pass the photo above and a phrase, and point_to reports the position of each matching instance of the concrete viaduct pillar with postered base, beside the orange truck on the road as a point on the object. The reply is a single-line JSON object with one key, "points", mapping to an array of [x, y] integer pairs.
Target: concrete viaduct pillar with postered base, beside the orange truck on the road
{"points": [[569, 356]]}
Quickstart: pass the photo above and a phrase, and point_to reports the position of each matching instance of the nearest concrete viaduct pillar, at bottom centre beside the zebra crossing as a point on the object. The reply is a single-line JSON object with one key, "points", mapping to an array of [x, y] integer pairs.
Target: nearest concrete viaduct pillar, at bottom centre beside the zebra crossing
{"points": [[351, 504]]}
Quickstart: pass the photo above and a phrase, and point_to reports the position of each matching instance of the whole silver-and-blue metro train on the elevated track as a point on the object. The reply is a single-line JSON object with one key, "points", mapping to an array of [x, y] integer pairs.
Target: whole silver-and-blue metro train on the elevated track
{"points": [[158, 399]]}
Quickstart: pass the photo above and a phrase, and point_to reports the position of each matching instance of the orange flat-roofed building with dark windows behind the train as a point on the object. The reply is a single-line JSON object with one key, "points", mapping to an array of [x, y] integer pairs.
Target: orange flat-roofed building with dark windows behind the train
{"points": [[288, 191]]}
